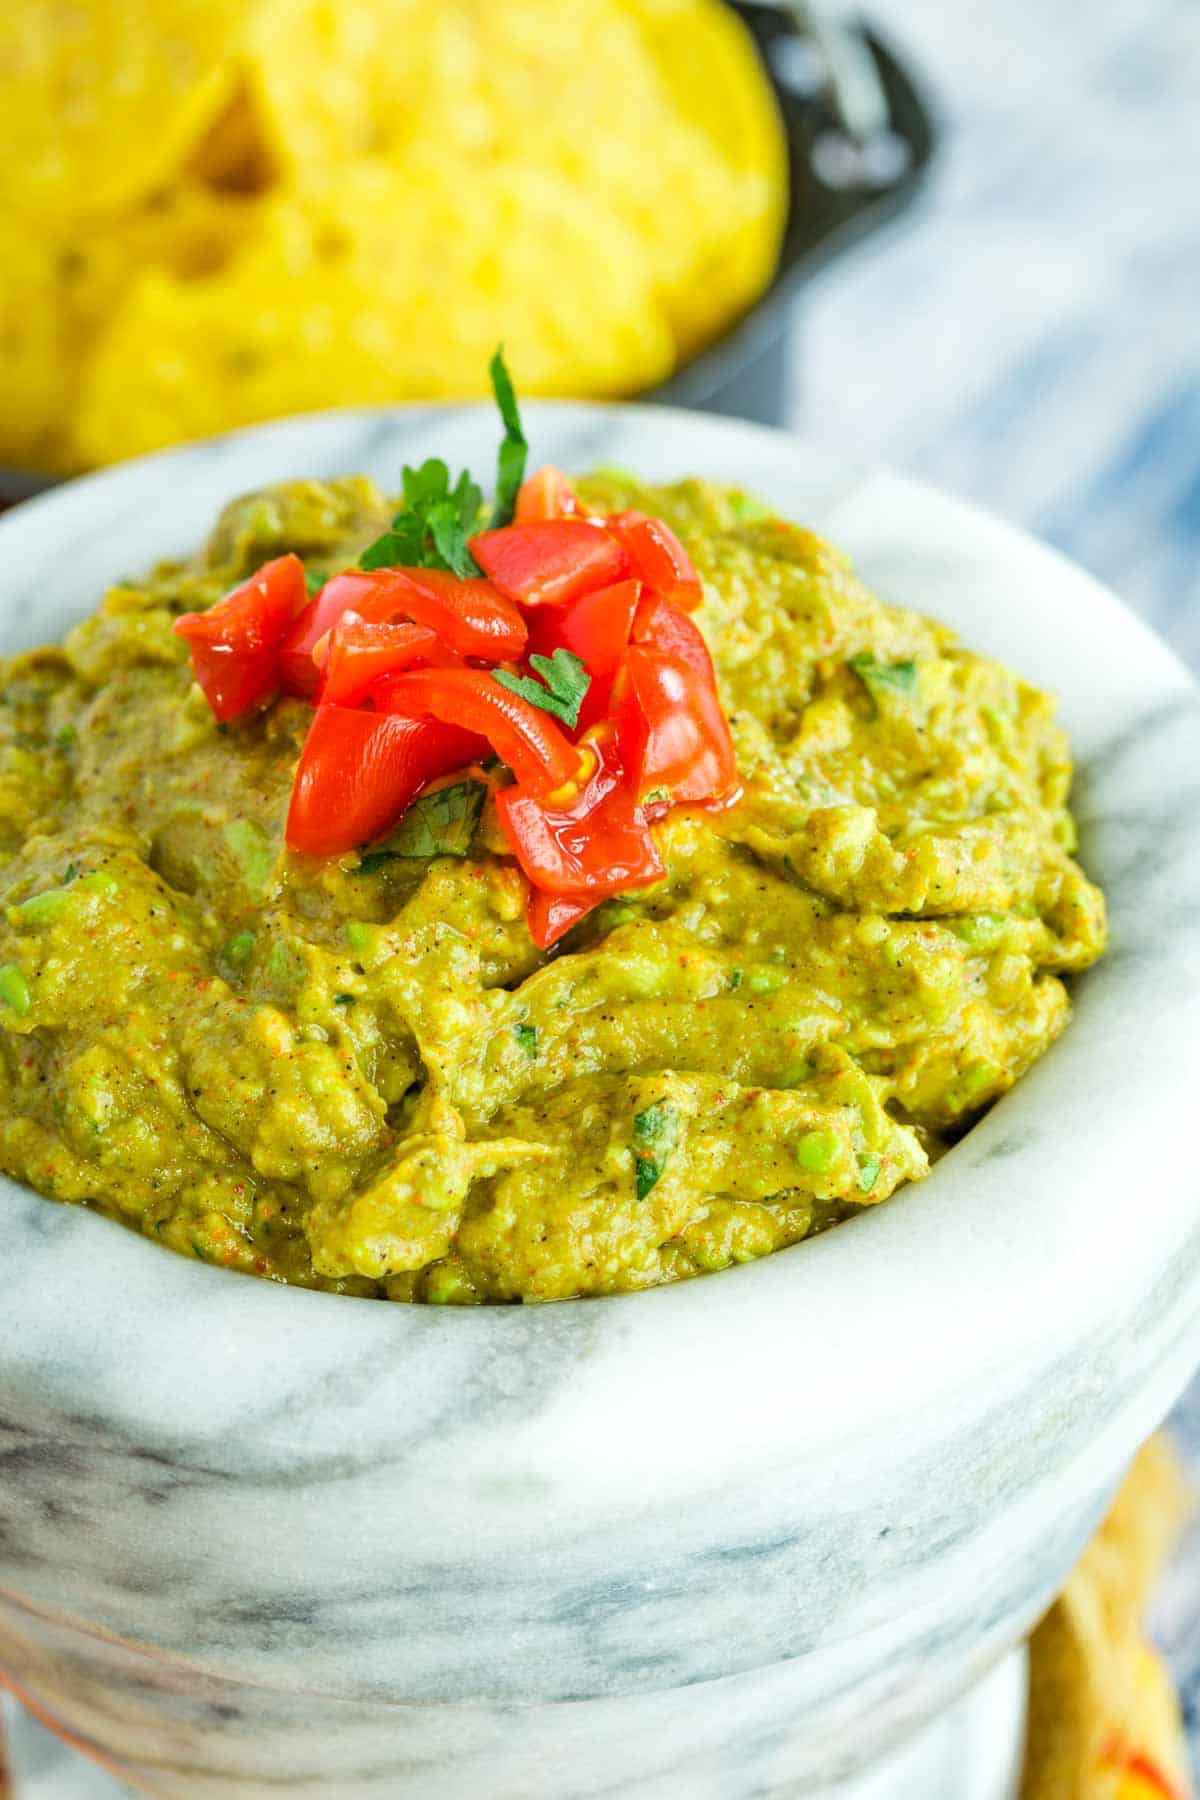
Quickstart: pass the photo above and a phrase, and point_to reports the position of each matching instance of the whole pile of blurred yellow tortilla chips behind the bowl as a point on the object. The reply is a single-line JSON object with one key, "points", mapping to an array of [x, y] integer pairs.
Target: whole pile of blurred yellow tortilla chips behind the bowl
{"points": [[217, 211]]}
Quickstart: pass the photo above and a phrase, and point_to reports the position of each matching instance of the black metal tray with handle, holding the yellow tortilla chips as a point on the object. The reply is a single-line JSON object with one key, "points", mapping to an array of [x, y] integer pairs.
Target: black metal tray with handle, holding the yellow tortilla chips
{"points": [[746, 372]]}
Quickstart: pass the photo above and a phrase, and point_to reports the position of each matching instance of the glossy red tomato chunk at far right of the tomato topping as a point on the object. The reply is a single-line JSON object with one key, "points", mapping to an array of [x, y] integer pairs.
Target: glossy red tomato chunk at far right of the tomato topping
{"points": [[672, 732]]}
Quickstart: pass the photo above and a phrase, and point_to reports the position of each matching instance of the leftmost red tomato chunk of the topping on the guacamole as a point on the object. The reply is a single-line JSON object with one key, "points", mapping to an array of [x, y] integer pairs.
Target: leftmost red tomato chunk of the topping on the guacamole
{"points": [[235, 645]]}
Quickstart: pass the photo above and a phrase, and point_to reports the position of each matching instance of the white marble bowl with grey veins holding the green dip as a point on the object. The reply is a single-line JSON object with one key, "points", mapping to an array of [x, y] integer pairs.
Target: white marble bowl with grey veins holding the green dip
{"points": [[722, 1540]]}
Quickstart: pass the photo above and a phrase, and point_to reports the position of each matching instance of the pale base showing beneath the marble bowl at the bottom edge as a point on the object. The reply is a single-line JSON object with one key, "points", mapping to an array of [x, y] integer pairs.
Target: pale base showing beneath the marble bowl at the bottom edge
{"points": [[969, 1754]]}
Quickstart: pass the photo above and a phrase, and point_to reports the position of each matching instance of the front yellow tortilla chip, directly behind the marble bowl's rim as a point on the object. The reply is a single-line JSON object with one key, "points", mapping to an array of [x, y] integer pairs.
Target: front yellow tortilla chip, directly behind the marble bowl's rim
{"points": [[359, 298]]}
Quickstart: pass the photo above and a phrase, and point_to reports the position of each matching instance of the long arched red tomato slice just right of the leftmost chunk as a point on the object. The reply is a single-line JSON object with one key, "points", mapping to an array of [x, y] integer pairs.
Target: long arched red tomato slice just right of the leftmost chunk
{"points": [[470, 616]]}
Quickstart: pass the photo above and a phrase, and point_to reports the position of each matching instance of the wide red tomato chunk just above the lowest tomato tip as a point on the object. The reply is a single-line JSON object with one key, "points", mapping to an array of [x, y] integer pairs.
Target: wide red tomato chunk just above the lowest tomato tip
{"points": [[591, 840]]}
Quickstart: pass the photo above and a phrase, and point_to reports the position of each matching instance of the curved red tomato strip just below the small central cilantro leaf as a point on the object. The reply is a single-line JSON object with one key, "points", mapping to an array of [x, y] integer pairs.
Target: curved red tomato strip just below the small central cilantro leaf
{"points": [[523, 735]]}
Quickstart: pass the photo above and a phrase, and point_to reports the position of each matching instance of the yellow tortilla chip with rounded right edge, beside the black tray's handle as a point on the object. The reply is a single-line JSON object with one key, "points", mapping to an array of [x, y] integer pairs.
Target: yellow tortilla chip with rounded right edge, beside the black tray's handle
{"points": [[661, 109]]}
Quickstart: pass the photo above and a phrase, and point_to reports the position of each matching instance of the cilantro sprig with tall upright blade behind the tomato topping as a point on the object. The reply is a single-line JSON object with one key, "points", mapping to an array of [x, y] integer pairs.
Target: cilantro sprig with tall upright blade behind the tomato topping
{"points": [[438, 517]]}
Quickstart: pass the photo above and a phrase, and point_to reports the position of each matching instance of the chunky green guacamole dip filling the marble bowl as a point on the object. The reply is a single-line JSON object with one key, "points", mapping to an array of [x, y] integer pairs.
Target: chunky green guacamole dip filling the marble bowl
{"points": [[363, 1075]]}
